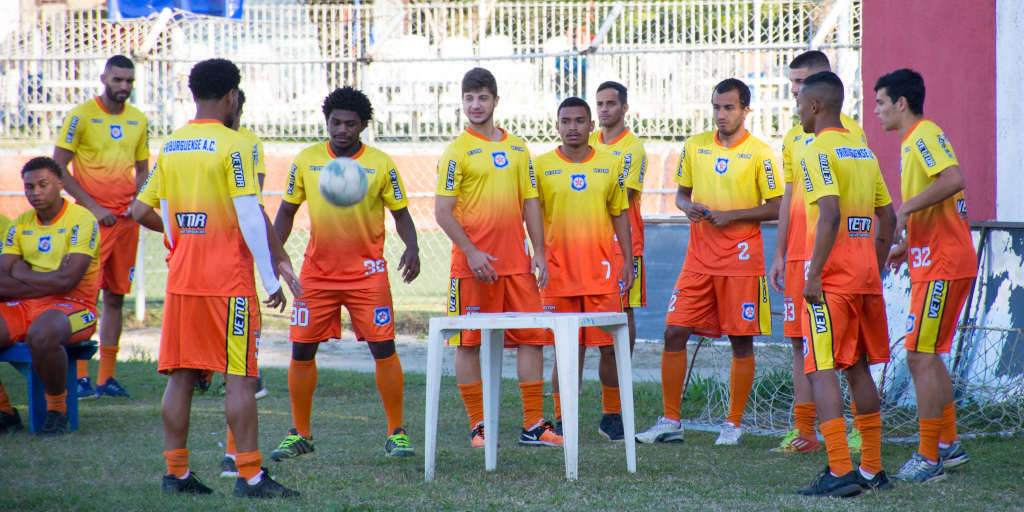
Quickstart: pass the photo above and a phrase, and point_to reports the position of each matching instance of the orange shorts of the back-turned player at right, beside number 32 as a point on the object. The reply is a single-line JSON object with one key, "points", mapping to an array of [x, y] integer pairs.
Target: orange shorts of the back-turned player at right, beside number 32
{"points": [[847, 327]]}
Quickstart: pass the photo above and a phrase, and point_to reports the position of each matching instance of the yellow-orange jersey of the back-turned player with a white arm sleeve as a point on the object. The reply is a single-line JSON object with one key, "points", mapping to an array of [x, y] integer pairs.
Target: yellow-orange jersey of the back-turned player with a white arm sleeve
{"points": [[201, 168]]}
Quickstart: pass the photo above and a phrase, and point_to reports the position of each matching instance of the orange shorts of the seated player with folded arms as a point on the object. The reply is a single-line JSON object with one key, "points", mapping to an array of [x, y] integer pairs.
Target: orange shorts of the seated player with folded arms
{"points": [[19, 317]]}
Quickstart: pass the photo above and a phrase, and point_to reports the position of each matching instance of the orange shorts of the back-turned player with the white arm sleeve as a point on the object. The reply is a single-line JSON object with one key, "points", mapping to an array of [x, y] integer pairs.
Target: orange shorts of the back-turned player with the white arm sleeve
{"points": [[210, 333]]}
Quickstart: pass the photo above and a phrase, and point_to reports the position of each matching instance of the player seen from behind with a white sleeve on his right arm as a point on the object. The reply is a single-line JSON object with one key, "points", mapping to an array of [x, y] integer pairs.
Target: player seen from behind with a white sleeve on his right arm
{"points": [[209, 203]]}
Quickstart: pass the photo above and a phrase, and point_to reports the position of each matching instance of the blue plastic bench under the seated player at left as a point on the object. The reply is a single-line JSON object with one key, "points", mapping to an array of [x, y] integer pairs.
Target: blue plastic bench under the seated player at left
{"points": [[20, 358]]}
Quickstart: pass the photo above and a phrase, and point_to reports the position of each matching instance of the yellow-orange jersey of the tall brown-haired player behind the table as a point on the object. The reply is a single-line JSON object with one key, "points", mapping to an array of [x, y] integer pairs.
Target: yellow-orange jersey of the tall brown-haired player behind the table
{"points": [[491, 181]]}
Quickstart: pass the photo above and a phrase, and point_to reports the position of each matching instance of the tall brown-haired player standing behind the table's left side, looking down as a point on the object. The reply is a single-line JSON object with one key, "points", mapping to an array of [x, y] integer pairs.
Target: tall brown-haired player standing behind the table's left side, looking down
{"points": [[486, 191]]}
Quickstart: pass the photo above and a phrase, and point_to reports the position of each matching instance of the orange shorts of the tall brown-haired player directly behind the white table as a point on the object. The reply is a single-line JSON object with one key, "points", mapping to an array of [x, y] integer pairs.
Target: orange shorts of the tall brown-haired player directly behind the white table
{"points": [[517, 293]]}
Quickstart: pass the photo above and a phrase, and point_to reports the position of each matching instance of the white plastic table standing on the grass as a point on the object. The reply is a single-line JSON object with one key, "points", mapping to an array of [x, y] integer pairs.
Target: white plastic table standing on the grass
{"points": [[567, 329]]}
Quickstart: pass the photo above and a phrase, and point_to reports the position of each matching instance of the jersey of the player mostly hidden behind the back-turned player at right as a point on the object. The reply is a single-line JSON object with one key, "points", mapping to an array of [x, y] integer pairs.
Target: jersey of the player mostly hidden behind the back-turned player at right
{"points": [[793, 152]]}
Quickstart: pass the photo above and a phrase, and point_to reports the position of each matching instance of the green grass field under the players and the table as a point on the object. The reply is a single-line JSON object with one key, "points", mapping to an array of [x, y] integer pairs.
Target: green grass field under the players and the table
{"points": [[114, 462]]}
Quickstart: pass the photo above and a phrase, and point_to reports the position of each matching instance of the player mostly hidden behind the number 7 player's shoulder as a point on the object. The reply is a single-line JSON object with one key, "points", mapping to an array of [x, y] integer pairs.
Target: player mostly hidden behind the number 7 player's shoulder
{"points": [[615, 137]]}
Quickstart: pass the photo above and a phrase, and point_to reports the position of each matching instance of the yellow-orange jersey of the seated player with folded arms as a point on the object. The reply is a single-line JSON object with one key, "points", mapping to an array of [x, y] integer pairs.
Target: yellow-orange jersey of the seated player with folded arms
{"points": [[74, 231]]}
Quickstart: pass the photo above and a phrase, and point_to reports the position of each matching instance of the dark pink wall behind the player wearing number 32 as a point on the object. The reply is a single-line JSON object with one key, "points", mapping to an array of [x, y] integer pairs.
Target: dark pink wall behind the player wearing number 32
{"points": [[953, 45]]}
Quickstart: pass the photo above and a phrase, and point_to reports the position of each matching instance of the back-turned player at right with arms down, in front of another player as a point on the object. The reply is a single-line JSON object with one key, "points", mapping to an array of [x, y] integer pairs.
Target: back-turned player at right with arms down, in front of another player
{"points": [[845, 327]]}
